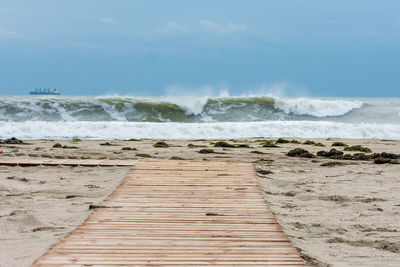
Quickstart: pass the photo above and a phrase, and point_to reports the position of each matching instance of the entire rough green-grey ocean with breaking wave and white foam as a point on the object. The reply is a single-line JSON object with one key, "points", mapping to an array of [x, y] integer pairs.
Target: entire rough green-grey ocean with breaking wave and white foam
{"points": [[164, 117]]}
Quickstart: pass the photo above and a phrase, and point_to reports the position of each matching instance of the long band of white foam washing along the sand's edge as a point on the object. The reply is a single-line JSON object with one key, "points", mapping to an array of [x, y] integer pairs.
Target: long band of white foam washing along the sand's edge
{"points": [[169, 130]]}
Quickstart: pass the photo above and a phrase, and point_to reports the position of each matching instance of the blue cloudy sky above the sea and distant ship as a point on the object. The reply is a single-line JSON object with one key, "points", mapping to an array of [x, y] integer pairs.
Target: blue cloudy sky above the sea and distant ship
{"points": [[322, 48]]}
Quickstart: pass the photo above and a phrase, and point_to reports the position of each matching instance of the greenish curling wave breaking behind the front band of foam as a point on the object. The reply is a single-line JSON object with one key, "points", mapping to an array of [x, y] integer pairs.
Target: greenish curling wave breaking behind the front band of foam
{"points": [[172, 109]]}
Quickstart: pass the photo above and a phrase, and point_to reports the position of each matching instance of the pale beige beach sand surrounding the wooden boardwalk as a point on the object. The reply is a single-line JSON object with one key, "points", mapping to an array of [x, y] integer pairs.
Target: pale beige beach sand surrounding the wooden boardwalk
{"points": [[345, 215]]}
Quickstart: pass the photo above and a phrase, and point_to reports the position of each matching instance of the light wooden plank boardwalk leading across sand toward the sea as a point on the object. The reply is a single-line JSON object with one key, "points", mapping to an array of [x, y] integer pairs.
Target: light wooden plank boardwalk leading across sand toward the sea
{"points": [[179, 213]]}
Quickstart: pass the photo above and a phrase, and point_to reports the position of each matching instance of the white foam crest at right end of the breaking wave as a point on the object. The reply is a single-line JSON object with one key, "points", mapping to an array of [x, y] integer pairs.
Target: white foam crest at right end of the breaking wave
{"points": [[316, 107]]}
